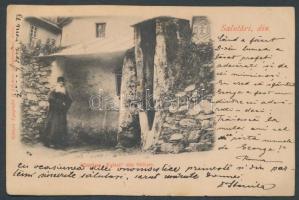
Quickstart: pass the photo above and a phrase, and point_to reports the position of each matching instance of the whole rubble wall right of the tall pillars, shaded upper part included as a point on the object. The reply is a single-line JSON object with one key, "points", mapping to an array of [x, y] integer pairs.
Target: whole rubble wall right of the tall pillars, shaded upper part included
{"points": [[188, 124]]}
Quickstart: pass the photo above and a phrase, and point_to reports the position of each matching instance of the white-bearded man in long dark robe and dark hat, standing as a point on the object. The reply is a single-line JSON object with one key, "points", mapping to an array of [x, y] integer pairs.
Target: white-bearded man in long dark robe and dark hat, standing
{"points": [[56, 124]]}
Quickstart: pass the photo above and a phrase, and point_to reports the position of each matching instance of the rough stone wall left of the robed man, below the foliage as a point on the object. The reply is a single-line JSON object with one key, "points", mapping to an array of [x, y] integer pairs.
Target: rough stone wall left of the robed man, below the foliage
{"points": [[35, 89]]}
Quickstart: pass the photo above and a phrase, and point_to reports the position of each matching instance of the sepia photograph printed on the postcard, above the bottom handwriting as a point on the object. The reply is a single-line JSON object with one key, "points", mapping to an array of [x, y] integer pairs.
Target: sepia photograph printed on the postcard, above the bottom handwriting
{"points": [[122, 83]]}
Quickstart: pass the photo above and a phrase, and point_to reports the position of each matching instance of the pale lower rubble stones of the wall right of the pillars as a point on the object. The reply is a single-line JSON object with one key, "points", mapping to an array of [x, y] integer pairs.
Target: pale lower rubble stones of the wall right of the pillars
{"points": [[187, 124]]}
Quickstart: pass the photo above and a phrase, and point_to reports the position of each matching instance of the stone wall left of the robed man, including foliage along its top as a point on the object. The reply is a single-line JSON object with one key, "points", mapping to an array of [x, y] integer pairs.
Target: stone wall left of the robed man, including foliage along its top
{"points": [[35, 88]]}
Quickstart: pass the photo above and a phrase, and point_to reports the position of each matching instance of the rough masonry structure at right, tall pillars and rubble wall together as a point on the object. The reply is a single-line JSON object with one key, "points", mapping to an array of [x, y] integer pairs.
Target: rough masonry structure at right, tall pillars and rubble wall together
{"points": [[172, 73]]}
